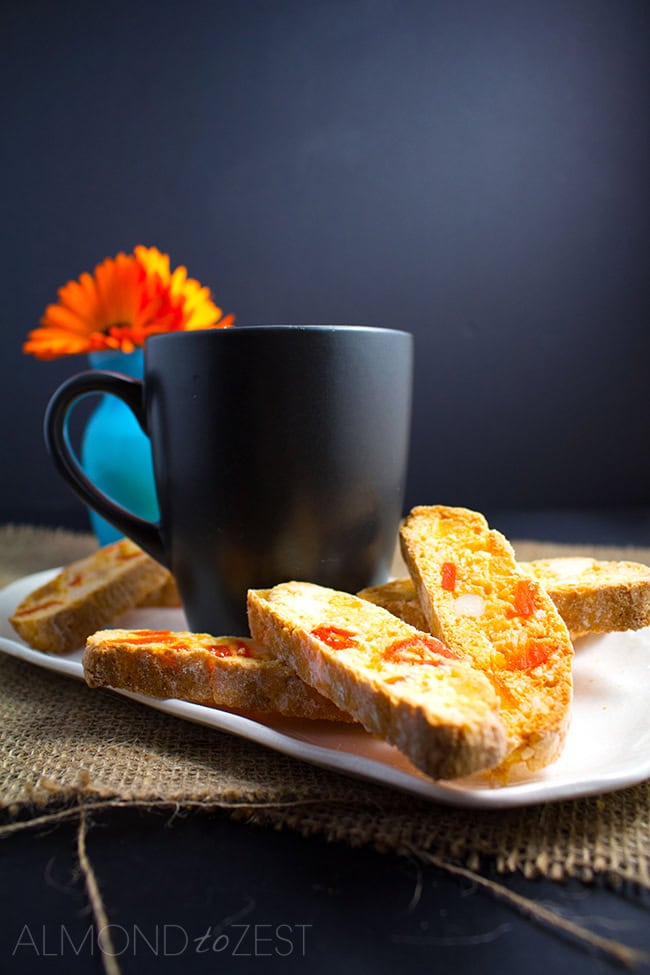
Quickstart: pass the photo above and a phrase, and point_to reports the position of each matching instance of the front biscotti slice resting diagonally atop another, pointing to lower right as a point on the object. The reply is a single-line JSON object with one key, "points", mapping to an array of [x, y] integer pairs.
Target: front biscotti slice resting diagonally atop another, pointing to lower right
{"points": [[400, 684]]}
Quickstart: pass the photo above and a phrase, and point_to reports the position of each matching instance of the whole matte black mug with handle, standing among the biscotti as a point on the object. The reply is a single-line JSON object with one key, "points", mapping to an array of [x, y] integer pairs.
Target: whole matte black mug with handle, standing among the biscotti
{"points": [[279, 454]]}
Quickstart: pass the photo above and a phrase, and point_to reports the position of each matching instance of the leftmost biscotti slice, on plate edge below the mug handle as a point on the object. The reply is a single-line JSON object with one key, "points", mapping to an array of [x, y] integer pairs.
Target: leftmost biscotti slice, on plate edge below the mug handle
{"points": [[86, 595]]}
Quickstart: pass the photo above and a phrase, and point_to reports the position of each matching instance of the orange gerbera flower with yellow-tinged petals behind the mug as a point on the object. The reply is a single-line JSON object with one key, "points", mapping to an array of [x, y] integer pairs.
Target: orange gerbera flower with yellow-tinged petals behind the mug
{"points": [[128, 298]]}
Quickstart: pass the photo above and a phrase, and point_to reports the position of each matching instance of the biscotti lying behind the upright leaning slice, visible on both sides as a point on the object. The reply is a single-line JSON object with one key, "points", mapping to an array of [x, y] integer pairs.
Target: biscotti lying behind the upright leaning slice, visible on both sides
{"points": [[591, 596]]}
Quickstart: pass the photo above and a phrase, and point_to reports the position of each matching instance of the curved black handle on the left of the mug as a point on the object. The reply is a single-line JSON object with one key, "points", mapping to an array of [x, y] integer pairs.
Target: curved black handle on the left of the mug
{"points": [[144, 533]]}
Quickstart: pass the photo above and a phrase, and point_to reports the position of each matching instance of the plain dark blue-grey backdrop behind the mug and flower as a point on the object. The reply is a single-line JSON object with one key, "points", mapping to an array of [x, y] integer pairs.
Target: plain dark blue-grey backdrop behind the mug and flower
{"points": [[474, 172]]}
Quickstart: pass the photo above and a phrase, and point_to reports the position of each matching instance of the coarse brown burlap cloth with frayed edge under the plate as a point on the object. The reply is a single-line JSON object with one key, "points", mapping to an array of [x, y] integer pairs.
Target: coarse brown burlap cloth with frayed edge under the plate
{"points": [[62, 745]]}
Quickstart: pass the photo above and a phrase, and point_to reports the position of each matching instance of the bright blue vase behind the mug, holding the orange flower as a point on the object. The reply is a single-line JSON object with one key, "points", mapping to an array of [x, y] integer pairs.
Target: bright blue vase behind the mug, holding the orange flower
{"points": [[115, 453]]}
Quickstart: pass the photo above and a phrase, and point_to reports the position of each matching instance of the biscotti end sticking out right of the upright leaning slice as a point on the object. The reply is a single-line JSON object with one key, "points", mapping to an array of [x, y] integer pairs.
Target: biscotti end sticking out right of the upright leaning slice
{"points": [[594, 596]]}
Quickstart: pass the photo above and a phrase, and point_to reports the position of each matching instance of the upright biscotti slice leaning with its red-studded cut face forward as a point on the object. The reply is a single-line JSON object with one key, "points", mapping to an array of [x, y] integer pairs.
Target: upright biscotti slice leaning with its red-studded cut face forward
{"points": [[476, 599]]}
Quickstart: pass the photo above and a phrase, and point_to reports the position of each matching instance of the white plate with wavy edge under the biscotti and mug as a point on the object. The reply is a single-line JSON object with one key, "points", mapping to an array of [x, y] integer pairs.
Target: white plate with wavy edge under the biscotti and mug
{"points": [[607, 748]]}
